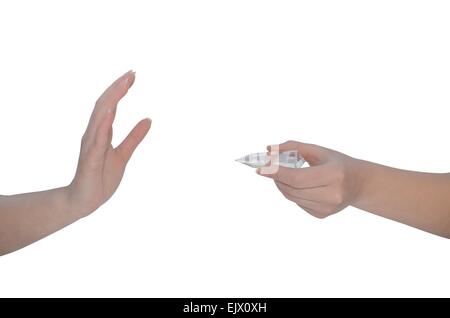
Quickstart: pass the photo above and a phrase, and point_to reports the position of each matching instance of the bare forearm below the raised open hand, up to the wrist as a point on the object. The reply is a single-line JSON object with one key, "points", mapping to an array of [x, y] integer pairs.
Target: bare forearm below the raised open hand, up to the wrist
{"points": [[26, 218]]}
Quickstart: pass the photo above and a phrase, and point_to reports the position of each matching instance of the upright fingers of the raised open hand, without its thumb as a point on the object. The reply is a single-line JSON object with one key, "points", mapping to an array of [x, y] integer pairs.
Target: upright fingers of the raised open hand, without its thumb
{"points": [[107, 102]]}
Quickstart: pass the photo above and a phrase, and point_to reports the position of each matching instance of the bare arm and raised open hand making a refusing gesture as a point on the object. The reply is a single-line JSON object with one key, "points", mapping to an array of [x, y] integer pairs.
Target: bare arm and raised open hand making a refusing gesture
{"points": [[26, 218]]}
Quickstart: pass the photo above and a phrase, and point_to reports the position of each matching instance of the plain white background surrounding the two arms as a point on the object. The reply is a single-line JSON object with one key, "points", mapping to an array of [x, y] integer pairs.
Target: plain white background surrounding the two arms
{"points": [[221, 79]]}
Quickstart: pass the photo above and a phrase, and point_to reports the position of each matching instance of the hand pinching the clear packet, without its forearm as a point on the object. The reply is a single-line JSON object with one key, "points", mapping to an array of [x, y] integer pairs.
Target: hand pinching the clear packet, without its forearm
{"points": [[331, 183]]}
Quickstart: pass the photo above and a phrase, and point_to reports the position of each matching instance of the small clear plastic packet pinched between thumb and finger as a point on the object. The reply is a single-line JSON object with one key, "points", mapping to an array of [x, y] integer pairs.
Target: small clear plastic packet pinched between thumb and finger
{"points": [[288, 159]]}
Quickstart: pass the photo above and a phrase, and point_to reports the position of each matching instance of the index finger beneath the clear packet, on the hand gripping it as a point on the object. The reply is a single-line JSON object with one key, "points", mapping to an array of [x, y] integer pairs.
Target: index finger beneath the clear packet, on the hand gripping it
{"points": [[299, 178]]}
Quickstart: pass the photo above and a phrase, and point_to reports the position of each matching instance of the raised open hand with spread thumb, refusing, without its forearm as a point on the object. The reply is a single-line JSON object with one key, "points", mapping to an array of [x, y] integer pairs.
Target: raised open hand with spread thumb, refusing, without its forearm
{"points": [[100, 166]]}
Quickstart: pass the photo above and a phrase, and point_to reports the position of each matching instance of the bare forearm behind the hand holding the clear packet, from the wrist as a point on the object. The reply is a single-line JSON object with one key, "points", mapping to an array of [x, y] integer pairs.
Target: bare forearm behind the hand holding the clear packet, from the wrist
{"points": [[421, 200]]}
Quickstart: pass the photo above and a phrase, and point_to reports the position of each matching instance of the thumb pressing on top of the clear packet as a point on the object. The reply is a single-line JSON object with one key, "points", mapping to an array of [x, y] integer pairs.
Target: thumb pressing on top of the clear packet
{"points": [[313, 154]]}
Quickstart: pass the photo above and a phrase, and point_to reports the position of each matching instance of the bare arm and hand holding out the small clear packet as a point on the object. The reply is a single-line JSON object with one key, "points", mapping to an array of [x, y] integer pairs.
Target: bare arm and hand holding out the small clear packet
{"points": [[334, 181]]}
